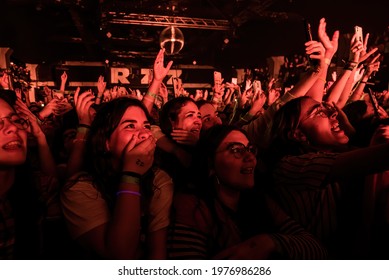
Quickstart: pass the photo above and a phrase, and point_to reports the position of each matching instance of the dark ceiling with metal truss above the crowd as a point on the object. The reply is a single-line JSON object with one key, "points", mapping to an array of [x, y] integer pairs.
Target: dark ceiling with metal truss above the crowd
{"points": [[62, 30]]}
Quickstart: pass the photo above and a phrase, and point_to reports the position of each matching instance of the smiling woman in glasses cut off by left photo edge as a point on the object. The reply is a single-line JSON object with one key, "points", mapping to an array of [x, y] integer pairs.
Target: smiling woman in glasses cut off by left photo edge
{"points": [[23, 193]]}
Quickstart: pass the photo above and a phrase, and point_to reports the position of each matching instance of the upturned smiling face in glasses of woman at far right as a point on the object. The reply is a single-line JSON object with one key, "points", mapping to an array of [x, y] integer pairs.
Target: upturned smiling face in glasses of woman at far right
{"points": [[320, 125]]}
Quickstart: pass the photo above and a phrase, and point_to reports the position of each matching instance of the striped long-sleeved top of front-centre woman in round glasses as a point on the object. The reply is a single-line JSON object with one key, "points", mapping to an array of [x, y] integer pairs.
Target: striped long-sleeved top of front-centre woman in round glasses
{"points": [[192, 234]]}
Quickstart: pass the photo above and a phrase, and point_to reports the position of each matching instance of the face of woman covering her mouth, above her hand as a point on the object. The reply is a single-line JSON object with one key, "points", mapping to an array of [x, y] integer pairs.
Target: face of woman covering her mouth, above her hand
{"points": [[133, 121]]}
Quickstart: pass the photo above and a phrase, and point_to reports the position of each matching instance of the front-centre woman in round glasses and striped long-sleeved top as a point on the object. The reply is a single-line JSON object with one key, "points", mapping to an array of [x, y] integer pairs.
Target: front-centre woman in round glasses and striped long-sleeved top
{"points": [[224, 218]]}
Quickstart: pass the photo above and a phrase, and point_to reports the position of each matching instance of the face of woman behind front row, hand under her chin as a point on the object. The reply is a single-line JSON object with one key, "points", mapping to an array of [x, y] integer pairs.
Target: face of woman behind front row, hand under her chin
{"points": [[189, 118]]}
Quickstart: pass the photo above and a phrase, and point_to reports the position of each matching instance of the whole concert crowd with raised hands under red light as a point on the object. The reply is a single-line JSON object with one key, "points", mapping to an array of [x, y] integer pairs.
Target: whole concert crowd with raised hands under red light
{"points": [[267, 169]]}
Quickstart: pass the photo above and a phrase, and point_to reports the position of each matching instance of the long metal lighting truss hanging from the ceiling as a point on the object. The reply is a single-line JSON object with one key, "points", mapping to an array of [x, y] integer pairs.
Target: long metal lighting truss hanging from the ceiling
{"points": [[160, 20]]}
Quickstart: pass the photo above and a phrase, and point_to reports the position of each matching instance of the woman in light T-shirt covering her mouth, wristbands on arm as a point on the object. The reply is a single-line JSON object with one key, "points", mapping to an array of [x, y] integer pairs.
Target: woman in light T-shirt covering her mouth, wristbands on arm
{"points": [[123, 199]]}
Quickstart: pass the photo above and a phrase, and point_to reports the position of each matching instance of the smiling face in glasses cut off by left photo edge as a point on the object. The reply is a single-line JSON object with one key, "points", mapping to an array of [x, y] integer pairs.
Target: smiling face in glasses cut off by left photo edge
{"points": [[13, 140]]}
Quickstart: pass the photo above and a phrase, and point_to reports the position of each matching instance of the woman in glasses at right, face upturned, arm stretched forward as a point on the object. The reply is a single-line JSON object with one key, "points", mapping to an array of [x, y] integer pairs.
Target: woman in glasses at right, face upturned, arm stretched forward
{"points": [[318, 179]]}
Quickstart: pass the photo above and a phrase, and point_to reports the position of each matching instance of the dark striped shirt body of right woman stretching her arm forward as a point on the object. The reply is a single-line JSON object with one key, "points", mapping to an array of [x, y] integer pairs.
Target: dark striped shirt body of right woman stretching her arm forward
{"points": [[305, 192]]}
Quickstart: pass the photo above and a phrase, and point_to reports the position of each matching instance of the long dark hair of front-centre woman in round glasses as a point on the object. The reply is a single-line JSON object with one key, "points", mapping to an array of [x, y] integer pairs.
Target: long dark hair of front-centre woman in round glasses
{"points": [[252, 202]]}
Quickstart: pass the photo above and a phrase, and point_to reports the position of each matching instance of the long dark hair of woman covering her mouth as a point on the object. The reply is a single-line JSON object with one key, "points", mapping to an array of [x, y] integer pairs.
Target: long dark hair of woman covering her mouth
{"points": [[99, 160]]}
